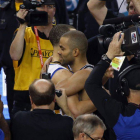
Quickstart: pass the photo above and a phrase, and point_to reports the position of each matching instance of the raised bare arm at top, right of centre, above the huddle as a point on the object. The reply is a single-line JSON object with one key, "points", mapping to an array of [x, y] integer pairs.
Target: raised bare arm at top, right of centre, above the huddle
{"points": [[98, 9]]}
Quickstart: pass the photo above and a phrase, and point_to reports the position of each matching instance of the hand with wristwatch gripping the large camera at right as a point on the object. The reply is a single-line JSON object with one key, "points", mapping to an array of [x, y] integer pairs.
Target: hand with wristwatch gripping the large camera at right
{"points": [[114, 48]]}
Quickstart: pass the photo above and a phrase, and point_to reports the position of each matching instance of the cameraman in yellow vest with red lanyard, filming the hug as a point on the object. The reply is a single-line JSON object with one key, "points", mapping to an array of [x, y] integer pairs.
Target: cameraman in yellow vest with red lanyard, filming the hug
{"points": [[29, 50]]}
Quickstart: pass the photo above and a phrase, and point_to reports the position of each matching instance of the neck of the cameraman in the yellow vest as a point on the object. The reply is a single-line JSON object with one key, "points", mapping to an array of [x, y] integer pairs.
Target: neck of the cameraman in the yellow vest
{"points": [[45, 29]]}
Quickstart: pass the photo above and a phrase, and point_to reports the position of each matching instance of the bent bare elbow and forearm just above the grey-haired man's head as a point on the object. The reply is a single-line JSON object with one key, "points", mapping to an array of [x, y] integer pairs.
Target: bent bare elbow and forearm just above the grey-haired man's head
{"points": [[80, 107]]}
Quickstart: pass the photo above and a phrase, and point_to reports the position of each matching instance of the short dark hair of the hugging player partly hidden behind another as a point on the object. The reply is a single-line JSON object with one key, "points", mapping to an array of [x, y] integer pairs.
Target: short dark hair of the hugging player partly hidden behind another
{"points": [[57, 31]]}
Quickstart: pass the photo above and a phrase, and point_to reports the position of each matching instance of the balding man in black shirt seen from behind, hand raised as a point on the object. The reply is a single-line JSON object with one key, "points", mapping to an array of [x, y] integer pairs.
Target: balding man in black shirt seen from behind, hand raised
{"points": [[42, 123]]}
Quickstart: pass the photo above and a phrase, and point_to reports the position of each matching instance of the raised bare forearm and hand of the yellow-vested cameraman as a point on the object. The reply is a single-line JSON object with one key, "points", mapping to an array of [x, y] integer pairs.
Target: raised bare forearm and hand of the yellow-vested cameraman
{"points": [[16, 48]]}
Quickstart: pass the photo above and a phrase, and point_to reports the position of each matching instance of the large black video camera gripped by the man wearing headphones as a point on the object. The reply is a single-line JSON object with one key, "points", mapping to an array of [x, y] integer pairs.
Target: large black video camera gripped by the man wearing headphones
{"points": [[131, 42]]}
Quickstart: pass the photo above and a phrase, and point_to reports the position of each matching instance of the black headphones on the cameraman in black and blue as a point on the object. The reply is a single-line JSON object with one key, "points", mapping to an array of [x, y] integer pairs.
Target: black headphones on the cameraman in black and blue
{"points": [[123, 86]]}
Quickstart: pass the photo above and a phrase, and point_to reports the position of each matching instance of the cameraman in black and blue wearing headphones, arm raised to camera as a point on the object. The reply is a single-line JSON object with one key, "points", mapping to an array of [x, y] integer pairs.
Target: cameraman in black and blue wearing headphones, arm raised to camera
{"points": [[124, 119]]}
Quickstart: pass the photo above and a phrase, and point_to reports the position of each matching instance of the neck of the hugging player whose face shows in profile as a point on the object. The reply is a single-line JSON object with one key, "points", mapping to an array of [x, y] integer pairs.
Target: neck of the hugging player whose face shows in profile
{"points": [[78, 64]]}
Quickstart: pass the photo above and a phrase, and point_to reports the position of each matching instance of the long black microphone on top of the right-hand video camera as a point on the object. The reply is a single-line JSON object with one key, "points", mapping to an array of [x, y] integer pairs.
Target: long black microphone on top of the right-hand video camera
{"points": [[134, 18]]}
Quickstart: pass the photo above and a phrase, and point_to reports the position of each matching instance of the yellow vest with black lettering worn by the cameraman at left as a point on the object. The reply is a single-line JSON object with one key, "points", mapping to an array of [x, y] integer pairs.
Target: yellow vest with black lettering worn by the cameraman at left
{"points": [[29, 68]]}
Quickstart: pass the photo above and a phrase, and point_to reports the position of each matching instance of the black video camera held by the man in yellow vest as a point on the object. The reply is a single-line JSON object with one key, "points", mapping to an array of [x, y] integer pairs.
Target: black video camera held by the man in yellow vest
{"points": [[34, 17]]}
